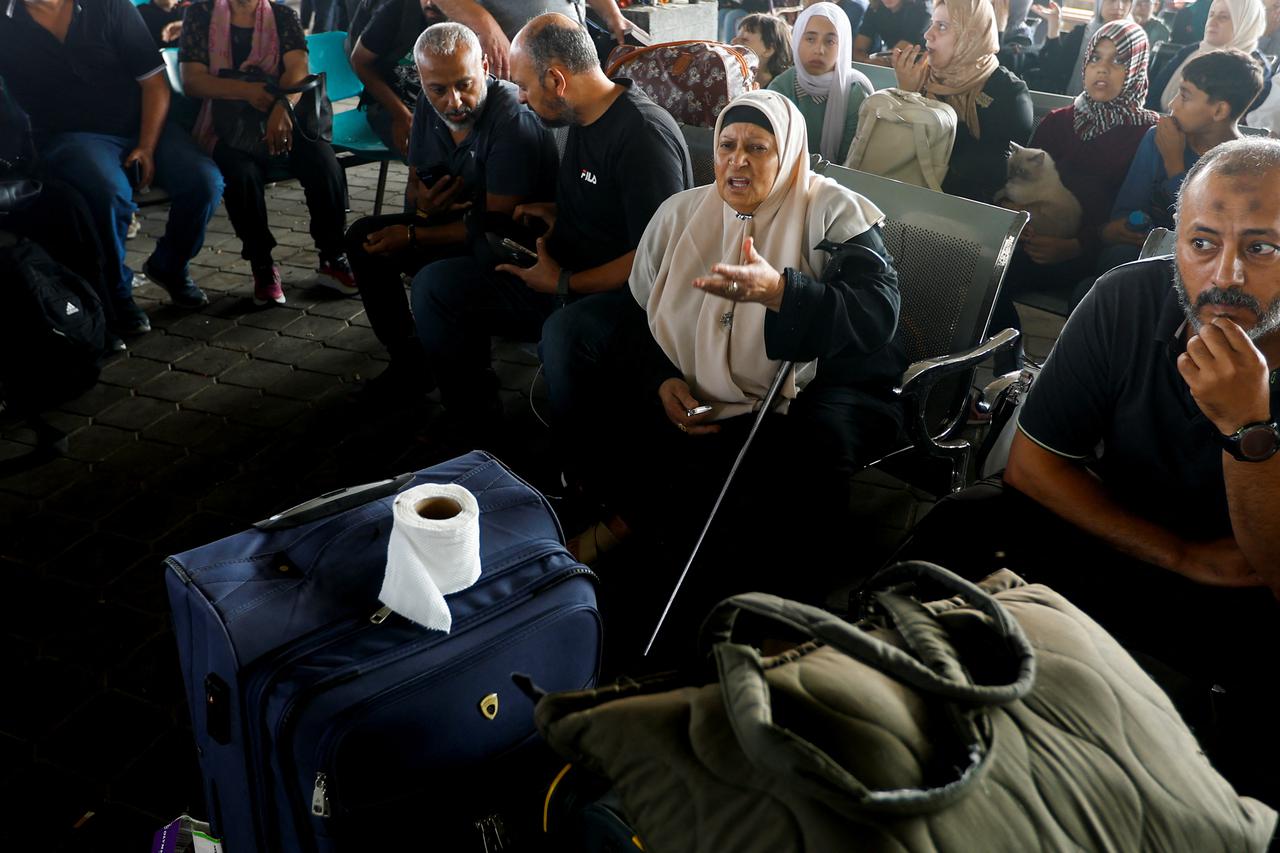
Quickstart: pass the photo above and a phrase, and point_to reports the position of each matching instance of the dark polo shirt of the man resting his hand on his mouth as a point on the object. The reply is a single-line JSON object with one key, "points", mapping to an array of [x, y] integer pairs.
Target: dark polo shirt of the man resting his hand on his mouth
{"points": [[1112, 398]]}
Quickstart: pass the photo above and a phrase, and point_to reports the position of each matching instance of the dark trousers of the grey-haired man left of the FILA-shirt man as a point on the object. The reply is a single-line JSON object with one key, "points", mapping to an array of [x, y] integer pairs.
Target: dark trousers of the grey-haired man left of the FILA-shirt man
{"points": [[382, 288]]}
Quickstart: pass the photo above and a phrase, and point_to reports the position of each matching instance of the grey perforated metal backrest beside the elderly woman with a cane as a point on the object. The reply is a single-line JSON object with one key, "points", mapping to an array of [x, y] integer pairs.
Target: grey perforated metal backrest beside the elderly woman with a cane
{"points": [[952, 256]]}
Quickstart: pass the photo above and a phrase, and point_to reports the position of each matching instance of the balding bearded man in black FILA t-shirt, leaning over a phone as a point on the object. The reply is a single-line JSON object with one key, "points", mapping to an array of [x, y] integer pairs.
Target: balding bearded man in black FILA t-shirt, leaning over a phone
{"points": [[624, 157]]}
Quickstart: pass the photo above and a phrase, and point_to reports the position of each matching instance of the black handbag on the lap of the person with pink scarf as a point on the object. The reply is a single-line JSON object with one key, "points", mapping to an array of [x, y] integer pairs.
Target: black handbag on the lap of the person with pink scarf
{"points": [[244, 127]]}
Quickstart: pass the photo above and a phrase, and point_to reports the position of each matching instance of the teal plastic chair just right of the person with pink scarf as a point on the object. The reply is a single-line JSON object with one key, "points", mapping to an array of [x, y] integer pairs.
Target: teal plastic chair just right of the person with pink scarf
{"points": [[354, 140]]}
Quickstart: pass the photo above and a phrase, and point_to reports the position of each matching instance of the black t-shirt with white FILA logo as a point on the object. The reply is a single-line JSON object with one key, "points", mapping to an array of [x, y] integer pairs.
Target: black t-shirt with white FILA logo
{"points": [[614, 176]]}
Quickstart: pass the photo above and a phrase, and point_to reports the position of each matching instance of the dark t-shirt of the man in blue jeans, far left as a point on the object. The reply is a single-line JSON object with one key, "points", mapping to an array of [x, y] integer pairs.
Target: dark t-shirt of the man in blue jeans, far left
{"points": [[88, 83]]}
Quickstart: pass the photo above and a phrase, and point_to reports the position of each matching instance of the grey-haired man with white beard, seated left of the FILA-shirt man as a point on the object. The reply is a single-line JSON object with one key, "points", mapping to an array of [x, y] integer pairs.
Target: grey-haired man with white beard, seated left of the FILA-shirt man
{"points": [[479, 149]]}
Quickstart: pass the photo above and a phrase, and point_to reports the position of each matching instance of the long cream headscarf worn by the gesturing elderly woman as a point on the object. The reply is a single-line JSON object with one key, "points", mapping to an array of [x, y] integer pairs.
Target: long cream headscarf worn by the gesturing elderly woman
{"points": [[725, 362]]}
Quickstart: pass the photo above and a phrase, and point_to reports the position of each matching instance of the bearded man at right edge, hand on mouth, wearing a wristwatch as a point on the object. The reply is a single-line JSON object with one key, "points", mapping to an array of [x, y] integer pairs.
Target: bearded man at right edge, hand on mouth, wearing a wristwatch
{"points": [[1151, 441]]}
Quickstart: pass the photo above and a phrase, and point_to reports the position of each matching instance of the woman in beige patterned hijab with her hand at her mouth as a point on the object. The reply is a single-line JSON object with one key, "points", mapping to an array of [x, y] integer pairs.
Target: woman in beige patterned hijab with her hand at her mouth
{"points": [[959, 66]]}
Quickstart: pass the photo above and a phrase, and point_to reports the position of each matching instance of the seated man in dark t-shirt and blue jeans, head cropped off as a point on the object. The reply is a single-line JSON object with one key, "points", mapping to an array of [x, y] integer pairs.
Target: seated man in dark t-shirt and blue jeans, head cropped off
{"points": [[89, 75]]}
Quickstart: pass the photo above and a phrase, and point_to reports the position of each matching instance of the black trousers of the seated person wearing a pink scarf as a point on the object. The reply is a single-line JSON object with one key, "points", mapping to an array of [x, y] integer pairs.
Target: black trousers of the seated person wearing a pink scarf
{"points": [[317, 170]]}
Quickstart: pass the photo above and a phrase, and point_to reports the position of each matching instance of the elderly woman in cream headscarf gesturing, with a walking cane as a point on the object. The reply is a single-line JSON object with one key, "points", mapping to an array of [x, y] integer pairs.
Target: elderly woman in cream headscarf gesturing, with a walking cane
{"points": [[733, 282]]}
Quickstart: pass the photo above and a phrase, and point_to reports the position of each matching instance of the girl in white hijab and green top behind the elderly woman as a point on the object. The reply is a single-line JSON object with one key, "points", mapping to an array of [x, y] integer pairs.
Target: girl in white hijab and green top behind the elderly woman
{"points": [[824, 83]]}
